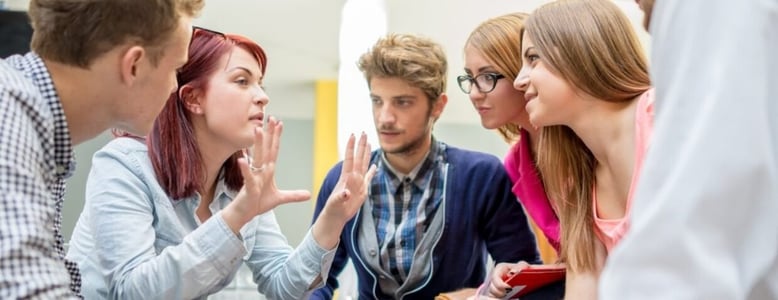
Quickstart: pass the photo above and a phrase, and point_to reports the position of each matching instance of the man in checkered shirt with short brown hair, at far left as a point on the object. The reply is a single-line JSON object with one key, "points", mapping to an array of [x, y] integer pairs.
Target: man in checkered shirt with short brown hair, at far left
{"points": [[94, 65]]}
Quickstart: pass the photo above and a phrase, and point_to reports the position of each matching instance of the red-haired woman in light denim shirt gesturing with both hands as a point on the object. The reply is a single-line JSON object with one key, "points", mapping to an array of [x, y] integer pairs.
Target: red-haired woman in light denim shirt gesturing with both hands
{"points": [[175, 214]]}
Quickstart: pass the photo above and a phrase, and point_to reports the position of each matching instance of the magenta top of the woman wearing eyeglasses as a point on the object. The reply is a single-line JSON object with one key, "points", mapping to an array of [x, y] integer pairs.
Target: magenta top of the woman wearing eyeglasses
{"points": [[528, 187]]}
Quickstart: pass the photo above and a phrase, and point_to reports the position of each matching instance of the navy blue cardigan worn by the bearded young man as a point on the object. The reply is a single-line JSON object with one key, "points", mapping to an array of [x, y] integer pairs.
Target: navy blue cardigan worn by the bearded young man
{"points": [[482, 217]]}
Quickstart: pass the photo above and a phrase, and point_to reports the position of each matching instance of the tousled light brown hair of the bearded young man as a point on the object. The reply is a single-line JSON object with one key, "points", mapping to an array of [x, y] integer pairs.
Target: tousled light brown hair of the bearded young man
{"points": [[418, 60]]}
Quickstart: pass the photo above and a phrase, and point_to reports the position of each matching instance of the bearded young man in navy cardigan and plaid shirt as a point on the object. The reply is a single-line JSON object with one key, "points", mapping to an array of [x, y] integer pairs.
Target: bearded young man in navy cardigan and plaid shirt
{"points": [[434, 212]]}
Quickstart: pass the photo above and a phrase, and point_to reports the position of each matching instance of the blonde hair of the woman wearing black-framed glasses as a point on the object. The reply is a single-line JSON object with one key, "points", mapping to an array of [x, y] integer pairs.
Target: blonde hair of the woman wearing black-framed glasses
{"points": [[499, 40]]}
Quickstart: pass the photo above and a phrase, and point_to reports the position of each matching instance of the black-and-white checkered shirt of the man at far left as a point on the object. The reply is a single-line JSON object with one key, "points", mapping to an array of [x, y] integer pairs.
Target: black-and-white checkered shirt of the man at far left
{"points": [[36, 157]]}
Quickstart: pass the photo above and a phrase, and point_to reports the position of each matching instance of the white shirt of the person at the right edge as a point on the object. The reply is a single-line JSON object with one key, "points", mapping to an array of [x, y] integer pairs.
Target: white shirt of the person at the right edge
{"points": [[705, 220]]}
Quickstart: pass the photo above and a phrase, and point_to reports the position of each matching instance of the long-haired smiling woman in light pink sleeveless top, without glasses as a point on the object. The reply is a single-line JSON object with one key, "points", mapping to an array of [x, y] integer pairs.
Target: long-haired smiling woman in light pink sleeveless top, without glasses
{"points": [[586, 84]]}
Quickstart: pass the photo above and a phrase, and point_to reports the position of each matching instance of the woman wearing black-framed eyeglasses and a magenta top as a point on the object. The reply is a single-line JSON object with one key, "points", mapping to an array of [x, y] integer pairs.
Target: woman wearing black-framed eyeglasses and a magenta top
{"points": [[492, 60]]}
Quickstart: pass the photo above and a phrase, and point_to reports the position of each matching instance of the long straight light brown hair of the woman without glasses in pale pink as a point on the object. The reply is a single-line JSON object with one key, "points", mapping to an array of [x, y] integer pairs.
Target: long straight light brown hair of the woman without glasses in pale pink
{"points": [[592, 45]]}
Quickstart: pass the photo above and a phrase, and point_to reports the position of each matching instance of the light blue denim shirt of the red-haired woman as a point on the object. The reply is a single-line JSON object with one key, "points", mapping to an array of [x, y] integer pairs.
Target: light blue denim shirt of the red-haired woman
{"points": [[133, 242]]}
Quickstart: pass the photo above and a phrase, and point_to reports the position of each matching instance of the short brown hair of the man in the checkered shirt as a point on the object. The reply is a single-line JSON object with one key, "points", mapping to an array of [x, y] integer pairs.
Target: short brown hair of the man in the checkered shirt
{"points": [[75, 32]]}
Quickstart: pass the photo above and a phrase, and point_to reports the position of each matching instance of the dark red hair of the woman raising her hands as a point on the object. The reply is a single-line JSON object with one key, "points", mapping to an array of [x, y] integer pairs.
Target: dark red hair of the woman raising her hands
{"points": [[173, 149]]}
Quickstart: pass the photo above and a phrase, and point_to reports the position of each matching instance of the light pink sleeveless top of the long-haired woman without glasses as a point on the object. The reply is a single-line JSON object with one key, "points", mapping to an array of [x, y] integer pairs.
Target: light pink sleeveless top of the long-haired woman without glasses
{"points": [[610, 231]]}
